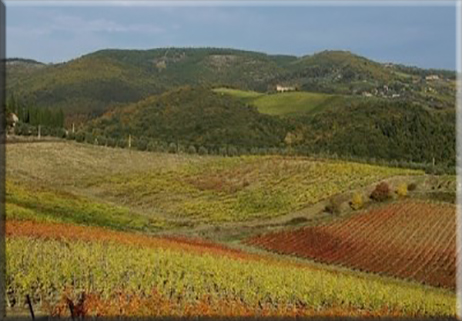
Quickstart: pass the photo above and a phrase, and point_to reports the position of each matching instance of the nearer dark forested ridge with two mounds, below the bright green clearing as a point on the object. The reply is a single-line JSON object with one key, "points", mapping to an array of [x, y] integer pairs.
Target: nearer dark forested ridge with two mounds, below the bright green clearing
{"points": [[201, 119]]}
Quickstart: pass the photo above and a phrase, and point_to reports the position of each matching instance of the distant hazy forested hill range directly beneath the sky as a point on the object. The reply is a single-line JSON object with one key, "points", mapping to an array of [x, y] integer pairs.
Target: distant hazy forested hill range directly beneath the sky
{"points": [[92, 84]]}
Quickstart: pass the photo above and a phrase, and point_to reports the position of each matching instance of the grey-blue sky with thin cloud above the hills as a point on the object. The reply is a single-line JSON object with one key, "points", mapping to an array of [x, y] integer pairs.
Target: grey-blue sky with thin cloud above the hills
{"points": [[419, 35]]}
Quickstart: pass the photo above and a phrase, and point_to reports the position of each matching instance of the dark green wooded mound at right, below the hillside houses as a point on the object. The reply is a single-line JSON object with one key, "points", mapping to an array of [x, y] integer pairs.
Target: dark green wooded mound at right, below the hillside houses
{"points": [[398, 131]]}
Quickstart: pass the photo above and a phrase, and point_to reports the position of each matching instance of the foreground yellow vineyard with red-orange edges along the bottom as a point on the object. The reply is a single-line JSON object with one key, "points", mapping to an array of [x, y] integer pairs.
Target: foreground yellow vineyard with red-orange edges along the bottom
{"points": [[111, 273]]}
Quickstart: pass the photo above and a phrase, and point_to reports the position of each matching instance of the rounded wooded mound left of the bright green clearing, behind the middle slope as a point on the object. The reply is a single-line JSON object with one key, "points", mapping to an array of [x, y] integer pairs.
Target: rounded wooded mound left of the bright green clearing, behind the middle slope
{"points": [[192, 116]]}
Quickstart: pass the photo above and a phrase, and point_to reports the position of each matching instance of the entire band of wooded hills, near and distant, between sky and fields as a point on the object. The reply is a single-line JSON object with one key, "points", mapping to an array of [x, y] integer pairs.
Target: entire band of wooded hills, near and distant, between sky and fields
{"points": [[224, 100]]}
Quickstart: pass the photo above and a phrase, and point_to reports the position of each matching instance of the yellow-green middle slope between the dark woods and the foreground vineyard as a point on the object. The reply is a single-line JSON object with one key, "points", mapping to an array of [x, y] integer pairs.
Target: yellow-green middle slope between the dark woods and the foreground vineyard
{"points": [[172, 189]]}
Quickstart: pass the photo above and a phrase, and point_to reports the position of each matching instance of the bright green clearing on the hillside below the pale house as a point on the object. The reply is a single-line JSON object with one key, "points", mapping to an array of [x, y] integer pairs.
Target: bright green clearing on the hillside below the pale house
{"points": [[290, 103]]}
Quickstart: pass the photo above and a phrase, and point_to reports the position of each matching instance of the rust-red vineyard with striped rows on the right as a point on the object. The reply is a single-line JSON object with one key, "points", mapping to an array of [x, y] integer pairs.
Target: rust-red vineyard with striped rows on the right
{"points": [[411, 240]]}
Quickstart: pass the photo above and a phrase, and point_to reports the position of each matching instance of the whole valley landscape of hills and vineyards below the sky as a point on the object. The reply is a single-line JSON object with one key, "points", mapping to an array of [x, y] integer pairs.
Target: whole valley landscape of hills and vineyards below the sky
{"points": [[210, 182]]}
